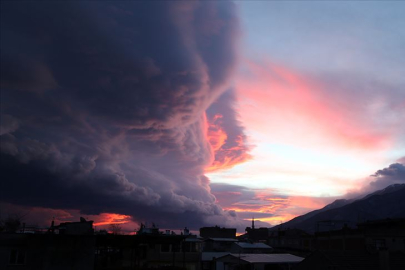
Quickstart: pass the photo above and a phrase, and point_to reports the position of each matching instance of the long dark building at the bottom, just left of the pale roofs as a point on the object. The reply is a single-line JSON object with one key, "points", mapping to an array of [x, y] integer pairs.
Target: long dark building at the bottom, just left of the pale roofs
{"points": [[148, 249]]}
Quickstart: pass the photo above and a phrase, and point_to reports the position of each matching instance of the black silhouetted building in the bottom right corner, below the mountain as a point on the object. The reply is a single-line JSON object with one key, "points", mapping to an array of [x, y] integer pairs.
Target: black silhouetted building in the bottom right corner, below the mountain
{"points": [[378, 244]]}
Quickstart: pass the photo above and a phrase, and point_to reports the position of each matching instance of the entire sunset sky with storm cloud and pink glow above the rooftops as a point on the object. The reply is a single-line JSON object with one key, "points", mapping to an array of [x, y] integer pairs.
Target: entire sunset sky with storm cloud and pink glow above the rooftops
{"points": [[192, 114]]}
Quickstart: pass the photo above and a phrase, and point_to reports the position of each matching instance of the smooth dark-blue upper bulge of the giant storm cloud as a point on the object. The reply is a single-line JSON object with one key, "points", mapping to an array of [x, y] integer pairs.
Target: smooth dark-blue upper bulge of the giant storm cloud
{"points": [[161, 57]]}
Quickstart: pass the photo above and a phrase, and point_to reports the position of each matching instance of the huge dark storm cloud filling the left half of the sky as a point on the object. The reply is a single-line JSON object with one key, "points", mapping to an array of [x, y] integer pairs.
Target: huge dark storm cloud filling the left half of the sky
{"points": [[102, 106]]}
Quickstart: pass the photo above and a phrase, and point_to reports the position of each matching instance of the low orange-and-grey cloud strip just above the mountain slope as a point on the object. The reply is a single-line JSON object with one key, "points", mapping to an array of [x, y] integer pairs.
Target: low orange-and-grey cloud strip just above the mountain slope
{"points": [[271, 206]]}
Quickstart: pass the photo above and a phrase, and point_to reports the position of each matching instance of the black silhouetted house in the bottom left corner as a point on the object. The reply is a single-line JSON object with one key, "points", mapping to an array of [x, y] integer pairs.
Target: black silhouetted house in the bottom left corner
{"points": [[46, 251]]}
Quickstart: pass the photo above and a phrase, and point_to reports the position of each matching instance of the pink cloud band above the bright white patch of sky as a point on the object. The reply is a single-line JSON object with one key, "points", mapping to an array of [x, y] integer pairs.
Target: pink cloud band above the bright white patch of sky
{"points": [[294, 107]]}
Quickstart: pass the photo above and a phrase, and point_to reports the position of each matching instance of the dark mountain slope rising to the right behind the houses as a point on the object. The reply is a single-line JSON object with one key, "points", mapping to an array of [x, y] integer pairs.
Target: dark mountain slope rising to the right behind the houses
{"points": [[386, 203]]}
